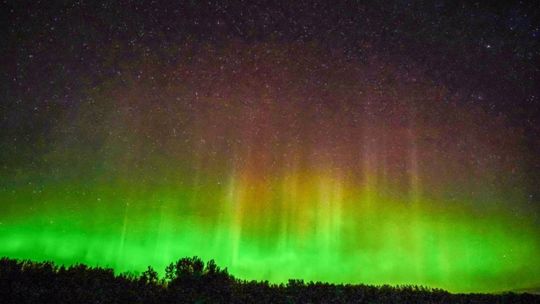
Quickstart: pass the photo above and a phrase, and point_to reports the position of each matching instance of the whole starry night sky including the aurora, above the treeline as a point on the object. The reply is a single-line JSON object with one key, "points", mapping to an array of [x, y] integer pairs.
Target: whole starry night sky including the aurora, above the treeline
{"points": [[382, 142]]}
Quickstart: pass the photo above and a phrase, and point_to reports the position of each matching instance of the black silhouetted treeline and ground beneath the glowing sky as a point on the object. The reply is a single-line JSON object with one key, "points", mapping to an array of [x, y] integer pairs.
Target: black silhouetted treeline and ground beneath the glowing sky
{"points": [[191, 281]]}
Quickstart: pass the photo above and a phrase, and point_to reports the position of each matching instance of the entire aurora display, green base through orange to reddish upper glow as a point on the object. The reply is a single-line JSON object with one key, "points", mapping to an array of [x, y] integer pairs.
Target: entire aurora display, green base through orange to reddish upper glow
{"points": [[386, 188]]}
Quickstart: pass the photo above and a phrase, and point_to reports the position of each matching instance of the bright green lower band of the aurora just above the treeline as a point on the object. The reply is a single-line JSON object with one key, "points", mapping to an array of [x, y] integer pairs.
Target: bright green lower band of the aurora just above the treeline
{"points": [[393, 244]]}
